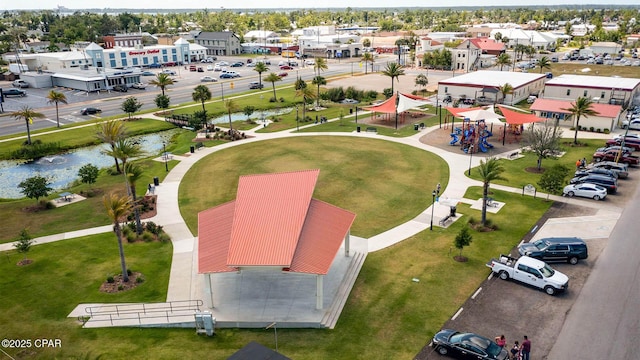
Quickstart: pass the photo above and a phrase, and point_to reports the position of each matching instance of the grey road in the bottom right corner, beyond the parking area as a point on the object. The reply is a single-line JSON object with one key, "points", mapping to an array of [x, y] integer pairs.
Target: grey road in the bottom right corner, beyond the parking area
{"points": [[604, 322]]}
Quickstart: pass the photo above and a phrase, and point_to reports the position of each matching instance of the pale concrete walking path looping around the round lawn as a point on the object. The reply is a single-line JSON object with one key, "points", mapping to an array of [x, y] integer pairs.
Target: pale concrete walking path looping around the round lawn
{"points": [[186, 284]]}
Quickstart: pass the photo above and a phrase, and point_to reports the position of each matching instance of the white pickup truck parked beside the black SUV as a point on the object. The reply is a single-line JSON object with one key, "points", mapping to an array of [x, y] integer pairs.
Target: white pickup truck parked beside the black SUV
{"points": [[530, 271]]}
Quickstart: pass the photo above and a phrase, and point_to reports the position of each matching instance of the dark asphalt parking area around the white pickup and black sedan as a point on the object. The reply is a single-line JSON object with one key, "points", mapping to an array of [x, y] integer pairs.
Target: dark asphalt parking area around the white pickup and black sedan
{"points": [[513, 309]]}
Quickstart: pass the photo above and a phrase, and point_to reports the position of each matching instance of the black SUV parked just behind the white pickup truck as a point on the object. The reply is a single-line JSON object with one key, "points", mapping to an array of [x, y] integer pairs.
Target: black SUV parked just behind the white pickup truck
{"points": [[570, 249]]}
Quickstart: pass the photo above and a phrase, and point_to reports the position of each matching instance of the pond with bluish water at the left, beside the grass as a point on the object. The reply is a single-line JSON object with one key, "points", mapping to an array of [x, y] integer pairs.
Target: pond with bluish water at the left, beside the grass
{"points": [[62, 170]]}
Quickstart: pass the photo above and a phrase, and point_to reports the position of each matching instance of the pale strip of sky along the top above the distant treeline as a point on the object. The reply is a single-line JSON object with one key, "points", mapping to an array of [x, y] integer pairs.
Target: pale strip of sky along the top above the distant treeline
{"points": [[330, 5]]}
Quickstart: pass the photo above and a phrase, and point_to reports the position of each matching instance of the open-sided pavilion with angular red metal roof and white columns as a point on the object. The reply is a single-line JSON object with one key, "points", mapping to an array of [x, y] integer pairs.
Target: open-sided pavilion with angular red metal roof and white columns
{"points": [[274, 227]]}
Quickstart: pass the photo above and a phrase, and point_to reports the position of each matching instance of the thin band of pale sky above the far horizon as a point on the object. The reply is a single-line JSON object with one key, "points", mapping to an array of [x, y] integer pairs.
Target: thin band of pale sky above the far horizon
{"points": [[262, 4]]}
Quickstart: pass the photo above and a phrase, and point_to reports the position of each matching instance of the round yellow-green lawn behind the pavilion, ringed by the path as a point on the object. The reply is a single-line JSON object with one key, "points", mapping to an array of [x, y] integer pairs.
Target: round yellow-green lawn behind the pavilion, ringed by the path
{"points": [[382, 182]]}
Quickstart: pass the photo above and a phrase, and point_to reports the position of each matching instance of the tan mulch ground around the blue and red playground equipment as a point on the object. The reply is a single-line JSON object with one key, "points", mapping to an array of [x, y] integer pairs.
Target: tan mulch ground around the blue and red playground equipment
{"points": [[441, 138]]}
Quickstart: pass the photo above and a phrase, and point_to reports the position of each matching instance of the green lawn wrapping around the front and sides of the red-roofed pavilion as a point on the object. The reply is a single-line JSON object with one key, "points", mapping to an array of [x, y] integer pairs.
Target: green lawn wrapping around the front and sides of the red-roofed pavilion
{"points": [[387, 315]]}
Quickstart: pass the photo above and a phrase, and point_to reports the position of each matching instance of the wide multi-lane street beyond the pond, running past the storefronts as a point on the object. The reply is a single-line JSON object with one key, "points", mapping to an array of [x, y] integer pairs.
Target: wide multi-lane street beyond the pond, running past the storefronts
{"points": [[180, 93]]}
